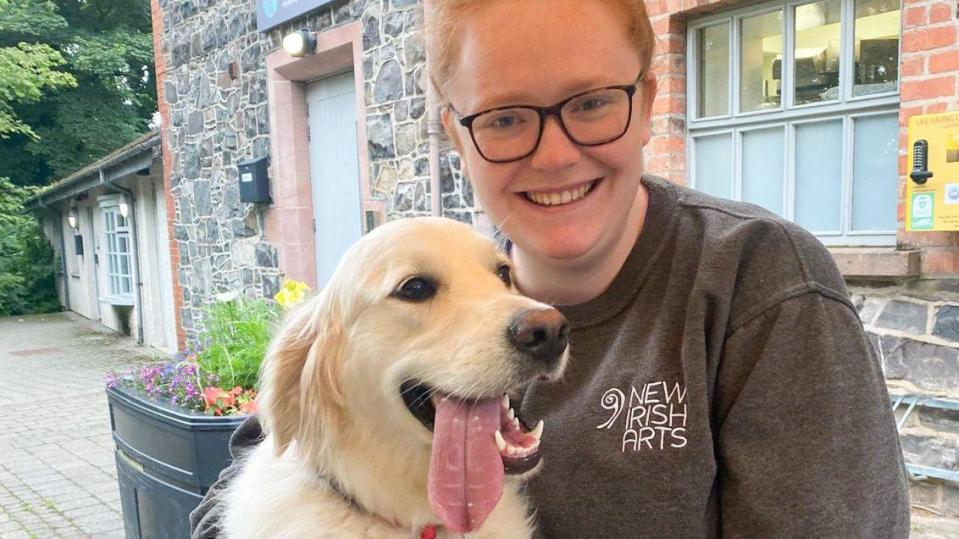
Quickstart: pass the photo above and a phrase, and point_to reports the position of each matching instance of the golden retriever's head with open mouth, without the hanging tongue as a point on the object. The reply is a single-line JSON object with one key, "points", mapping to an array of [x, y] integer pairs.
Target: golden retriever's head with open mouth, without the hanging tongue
{"points": [[419, 328]]}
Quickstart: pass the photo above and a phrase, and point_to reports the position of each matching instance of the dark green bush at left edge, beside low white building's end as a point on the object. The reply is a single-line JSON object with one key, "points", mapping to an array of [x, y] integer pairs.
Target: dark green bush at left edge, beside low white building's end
{"points": [[27, 281]]}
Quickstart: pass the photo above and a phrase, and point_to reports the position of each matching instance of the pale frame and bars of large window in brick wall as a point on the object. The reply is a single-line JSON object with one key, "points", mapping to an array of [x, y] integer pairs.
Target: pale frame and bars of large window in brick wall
{"points": [[846, 107]]}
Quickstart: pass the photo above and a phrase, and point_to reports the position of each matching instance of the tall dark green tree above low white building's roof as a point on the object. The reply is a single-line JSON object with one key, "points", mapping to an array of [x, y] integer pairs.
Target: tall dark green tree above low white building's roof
{"points": [[106, 47]]}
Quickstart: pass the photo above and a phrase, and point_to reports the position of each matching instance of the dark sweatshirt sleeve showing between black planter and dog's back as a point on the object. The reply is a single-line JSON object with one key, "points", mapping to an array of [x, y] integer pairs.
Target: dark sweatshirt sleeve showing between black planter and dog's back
{"points": [[205, 519]]}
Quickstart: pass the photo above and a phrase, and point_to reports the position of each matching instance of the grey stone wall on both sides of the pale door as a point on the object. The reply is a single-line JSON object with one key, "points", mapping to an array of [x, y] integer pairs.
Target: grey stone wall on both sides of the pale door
{"points": [[214, 88]]}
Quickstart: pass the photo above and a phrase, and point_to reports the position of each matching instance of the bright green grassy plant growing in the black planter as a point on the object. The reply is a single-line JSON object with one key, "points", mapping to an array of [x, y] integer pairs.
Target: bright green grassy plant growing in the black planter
{"points": [[237, 333]]}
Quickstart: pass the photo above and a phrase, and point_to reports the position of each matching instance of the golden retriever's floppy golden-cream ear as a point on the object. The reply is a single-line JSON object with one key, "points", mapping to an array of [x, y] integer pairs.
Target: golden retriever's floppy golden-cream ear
{"points": [[300, 397]]}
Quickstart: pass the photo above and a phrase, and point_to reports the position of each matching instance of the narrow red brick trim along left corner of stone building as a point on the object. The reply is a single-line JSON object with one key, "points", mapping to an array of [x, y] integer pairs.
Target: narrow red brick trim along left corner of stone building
{"points": [[160, 64]]}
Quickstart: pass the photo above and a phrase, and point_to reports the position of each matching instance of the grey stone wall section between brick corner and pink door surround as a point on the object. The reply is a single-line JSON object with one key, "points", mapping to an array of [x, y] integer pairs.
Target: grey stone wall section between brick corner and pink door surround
{"points": [[215, 92]]}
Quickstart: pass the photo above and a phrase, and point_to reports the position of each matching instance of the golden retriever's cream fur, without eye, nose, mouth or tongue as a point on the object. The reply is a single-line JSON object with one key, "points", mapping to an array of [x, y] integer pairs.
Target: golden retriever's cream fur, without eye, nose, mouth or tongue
{"points": [[330, 398]]}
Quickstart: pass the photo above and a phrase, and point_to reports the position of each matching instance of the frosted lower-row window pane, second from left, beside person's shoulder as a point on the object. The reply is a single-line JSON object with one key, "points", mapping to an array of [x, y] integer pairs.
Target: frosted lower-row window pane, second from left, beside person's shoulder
{"points": [[763, 168]]}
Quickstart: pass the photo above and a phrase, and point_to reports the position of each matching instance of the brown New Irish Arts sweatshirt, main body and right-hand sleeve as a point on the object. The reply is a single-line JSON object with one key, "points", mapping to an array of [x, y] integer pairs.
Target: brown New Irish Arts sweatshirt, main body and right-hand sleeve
{"points": [[722, 385]]}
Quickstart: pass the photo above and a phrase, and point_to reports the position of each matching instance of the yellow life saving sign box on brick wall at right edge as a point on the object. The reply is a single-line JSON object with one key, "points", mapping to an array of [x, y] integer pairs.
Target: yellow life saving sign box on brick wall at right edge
{"points": [[932, 189]]}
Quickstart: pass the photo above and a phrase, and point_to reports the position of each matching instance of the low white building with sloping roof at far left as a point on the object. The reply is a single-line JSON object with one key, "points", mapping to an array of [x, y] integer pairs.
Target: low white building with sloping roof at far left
{"points": [[108, 226]]}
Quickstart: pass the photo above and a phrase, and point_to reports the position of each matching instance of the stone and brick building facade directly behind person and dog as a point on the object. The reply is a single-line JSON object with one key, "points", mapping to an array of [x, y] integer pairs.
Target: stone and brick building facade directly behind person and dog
{"points": [[799, 106]]}
